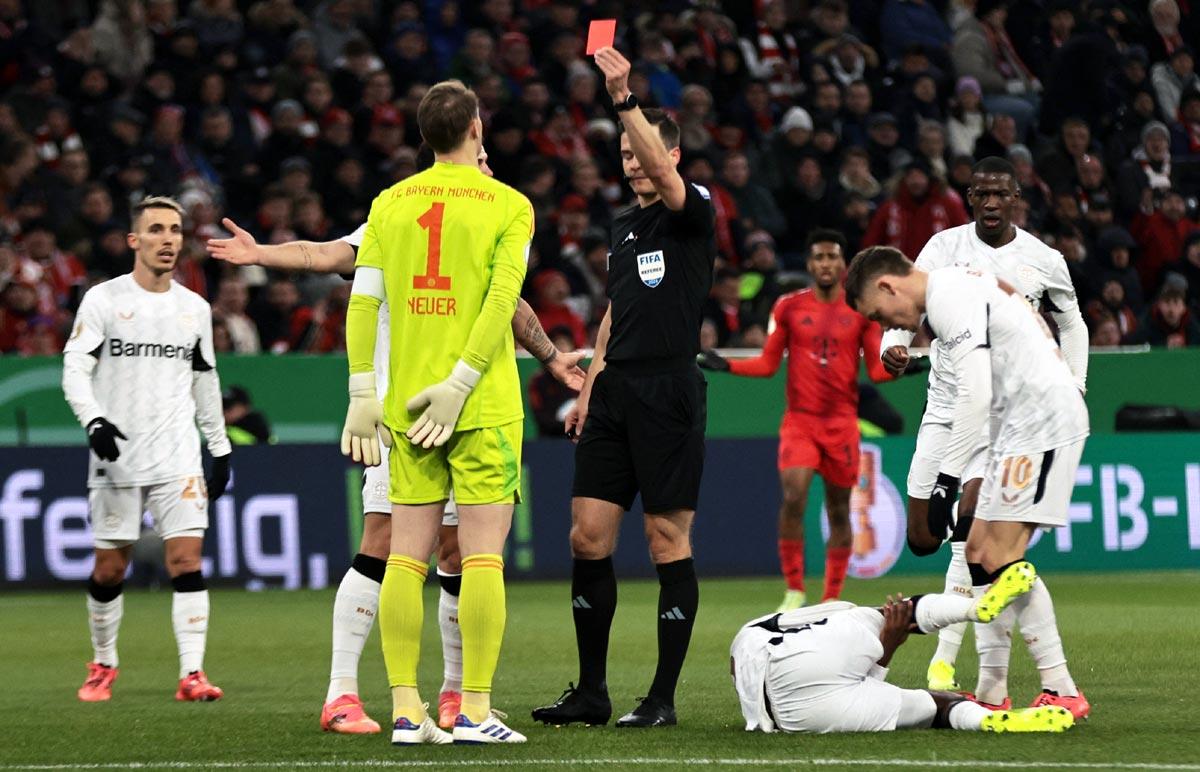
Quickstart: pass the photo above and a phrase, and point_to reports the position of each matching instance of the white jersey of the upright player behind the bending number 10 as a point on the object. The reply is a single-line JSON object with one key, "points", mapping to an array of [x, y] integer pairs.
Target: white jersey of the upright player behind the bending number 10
{"points": [[1036, 271]]}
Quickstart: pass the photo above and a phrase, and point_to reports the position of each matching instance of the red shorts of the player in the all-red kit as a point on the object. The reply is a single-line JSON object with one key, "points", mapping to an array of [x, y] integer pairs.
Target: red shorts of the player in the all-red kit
{"points": [[826, 445]]}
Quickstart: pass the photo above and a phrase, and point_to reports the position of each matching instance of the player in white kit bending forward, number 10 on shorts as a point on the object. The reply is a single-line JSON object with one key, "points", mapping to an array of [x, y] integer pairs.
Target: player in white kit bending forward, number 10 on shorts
{"points": [[1006, 367]]}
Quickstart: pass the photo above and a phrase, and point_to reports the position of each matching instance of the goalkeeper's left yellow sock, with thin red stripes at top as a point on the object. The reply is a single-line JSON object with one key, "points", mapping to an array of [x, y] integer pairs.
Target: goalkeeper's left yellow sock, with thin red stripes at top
{"points": [[401, 612]]}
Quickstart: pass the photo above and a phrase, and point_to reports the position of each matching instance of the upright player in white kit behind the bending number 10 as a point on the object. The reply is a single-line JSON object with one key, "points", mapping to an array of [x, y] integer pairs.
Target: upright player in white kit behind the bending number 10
{"points": [[995, 246]]}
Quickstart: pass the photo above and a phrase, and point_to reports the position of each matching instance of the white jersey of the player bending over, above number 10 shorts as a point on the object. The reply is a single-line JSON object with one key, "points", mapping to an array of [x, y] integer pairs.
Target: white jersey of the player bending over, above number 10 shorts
{"points": [[1036, 404]]}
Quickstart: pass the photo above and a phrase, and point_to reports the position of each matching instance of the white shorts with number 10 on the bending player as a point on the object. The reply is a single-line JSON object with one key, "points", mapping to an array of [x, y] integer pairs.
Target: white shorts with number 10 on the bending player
{"points": [[1034, 488]]}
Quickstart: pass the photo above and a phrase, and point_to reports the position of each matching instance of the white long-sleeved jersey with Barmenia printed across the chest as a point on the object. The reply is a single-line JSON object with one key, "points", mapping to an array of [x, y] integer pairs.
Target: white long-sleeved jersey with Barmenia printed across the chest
{"points": [[149, 348]]}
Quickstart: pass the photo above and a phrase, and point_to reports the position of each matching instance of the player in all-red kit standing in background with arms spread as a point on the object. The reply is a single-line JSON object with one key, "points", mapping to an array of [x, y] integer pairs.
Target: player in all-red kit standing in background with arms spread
{"points": [[825, 340]]}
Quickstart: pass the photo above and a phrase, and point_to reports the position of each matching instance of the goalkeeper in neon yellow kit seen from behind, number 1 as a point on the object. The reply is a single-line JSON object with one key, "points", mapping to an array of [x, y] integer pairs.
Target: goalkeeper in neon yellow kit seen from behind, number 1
{"points": [[447, 249]]}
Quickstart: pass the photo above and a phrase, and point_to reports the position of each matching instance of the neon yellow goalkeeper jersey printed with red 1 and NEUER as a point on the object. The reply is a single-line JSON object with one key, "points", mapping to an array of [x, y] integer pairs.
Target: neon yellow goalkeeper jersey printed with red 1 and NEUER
{"points": [[443, 240]]}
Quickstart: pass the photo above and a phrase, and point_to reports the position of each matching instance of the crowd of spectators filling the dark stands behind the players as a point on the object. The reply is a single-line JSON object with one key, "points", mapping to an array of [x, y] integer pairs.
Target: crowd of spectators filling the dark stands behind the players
{"points": [[290, 116]]}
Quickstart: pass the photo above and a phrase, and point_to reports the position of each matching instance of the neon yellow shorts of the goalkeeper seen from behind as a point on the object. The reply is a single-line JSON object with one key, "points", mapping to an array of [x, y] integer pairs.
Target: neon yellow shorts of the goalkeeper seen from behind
{"points": [[482, 465]]}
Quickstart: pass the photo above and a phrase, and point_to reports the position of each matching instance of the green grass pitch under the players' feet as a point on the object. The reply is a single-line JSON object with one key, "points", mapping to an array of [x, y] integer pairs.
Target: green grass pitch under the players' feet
{"points": [[1133, 643]]}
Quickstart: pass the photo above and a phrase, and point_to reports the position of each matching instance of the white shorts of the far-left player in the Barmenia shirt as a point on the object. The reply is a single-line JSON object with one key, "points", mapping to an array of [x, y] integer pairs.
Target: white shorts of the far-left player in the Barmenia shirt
{"points": [[179, 508]]}
